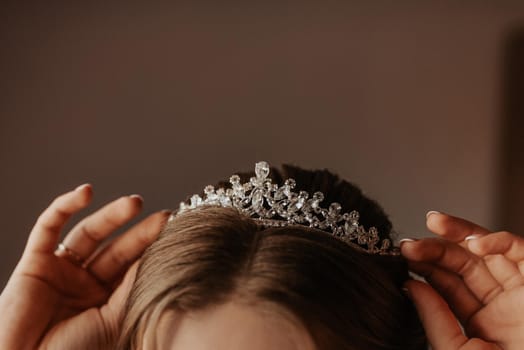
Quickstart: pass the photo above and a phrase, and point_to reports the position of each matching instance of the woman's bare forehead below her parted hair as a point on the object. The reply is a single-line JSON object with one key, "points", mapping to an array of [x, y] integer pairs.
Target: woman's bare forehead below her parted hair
{"points": [[232, 326]]}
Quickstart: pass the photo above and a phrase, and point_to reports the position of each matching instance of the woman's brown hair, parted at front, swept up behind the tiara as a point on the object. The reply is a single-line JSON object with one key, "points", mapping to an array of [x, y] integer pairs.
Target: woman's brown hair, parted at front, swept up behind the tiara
{"points": [[345, 298]]}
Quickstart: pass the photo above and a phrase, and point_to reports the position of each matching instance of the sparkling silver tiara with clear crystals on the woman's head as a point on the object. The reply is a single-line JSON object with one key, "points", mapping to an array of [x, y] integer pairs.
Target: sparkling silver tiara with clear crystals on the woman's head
{"points": [[278, 206]]}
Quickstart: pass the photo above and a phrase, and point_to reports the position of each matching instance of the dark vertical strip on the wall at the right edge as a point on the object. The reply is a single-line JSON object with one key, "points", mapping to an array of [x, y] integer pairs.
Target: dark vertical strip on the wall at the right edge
{"points": [[511, 205]]}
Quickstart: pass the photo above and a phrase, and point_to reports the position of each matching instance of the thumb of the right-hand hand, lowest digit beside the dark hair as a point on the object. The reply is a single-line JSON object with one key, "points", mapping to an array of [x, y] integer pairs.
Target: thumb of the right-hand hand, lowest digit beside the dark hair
{"points": [[442, 329]]}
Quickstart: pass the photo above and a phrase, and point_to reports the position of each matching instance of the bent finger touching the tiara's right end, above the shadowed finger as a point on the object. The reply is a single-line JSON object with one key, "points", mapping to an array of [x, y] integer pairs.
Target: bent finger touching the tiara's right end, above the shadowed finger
{"points": [[452, 257]]}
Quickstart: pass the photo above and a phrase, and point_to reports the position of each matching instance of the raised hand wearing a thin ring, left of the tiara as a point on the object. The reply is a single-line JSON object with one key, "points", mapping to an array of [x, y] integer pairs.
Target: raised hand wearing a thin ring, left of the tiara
{"points": [[53, 301]]}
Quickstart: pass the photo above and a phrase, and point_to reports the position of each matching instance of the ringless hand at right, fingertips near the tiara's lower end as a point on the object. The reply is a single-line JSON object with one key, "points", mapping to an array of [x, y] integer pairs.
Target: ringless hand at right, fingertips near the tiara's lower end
{"points": [[477, 277]]}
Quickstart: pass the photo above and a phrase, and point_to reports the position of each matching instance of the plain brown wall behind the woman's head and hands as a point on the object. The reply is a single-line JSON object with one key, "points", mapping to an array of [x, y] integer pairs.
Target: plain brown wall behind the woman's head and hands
{"points": [[406, 98]]}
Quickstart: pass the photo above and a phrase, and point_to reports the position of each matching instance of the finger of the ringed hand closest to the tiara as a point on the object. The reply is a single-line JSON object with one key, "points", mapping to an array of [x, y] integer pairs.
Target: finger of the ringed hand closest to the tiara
{"points": [[116, 258]]}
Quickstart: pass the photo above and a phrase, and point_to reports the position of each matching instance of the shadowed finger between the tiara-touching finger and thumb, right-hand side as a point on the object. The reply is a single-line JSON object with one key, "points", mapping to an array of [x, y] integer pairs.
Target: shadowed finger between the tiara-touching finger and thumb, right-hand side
{"points": [[451, 287]]}
